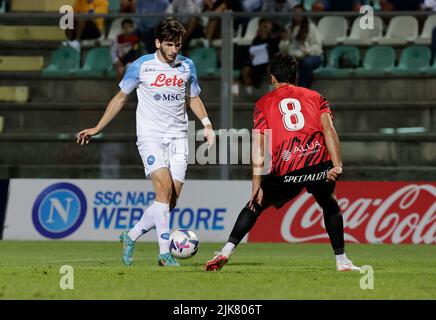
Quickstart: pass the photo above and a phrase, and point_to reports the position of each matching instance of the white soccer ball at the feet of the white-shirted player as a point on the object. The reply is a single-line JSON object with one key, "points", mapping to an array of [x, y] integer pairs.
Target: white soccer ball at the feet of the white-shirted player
{"points": [[183, 244]]}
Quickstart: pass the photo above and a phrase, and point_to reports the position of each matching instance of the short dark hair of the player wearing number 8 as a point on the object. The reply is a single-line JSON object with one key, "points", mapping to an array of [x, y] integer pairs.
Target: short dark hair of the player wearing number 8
{"points": [[284, 68]]}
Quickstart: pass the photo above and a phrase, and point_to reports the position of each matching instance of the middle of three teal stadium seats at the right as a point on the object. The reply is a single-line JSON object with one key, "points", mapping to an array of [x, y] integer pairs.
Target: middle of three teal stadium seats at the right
{"points": [[377, 60]]}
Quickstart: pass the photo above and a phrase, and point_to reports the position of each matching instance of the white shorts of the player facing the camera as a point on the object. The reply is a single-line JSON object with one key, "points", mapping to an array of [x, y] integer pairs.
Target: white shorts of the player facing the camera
{"points": [[171, 153]]}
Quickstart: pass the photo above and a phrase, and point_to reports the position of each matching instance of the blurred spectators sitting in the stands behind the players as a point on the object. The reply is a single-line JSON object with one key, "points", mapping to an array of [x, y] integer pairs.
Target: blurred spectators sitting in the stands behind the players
{"points": [[298, 35]]}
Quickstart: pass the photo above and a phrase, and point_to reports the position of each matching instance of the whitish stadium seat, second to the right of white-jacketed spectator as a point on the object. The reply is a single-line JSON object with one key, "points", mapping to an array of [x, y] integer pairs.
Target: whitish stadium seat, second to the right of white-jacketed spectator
{"points": [[359, 36]]}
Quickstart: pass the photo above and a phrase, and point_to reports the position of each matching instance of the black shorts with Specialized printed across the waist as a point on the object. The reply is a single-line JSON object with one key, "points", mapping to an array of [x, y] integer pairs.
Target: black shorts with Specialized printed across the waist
{"points": [[278, 190]]}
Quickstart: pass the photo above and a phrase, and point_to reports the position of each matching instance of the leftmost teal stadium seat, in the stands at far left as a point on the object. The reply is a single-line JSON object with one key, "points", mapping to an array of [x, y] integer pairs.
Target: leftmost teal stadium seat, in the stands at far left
{"points": [[64, 62]]}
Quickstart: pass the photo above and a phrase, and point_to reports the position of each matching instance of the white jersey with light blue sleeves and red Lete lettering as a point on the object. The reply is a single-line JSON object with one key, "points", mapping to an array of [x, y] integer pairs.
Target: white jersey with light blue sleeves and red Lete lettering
{"points": [[161, 89]]}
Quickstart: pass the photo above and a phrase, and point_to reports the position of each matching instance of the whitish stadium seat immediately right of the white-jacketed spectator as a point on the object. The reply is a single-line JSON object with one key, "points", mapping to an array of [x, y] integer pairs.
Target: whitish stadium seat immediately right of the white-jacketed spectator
{"points": [[332, 28]]}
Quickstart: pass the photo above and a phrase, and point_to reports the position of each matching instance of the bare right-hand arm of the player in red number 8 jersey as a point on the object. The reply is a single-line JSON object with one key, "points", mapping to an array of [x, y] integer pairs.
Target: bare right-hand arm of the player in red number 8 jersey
{"points": [[333, 146]]}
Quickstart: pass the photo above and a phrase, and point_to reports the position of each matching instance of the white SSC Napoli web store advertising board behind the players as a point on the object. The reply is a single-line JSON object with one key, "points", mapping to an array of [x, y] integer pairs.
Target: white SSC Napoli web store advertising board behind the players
{"points": [[102, 209]]}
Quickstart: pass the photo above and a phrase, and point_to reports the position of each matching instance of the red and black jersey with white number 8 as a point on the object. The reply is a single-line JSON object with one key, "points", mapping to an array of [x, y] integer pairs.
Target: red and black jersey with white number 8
{"points": [[292, 116]]}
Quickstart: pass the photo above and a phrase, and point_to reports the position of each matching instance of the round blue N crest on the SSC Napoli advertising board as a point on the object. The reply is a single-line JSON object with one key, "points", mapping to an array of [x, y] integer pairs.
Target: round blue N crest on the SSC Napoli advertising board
{"points": [[59, 210]]}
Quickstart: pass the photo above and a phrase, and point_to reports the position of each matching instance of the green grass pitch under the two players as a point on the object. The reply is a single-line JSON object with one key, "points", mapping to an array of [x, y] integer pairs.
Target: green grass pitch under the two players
{"points": [[30, 270]]}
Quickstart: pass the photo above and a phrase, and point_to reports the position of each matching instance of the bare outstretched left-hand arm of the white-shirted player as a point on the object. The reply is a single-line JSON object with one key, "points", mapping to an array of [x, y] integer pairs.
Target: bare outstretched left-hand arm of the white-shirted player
{"points": [[114, 107]]}
